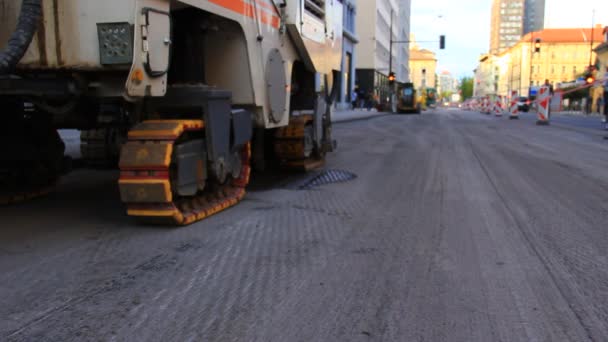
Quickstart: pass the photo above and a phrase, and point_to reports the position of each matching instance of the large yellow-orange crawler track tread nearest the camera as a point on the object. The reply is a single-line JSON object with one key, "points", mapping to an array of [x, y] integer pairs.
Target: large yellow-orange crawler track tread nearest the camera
{"points": [[148, 171]]}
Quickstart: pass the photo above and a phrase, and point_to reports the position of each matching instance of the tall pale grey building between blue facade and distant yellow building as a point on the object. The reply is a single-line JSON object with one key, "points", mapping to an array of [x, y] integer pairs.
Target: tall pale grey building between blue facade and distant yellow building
{"points": [[372, 56]]}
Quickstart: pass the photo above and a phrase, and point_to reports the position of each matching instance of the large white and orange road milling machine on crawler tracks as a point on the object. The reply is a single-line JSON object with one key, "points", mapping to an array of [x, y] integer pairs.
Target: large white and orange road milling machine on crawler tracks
{"points": [[183, 96]]}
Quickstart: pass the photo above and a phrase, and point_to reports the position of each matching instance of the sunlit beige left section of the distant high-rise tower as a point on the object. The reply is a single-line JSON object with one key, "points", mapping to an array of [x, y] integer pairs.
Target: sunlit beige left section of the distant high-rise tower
{"points": [[507, 24]]}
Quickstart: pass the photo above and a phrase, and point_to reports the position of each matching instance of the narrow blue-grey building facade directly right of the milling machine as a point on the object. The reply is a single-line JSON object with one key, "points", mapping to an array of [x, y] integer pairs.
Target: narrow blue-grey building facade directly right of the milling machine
{"points": [[350, 40]]}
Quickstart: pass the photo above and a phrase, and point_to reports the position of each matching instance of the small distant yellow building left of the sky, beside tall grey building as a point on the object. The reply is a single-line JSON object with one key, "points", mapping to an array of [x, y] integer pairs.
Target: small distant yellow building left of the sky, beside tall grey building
{"points": [[423, 66]]}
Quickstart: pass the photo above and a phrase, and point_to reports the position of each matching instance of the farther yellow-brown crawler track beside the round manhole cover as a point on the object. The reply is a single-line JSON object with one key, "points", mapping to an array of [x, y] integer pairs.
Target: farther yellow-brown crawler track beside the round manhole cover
{"points": [[294, 145]]}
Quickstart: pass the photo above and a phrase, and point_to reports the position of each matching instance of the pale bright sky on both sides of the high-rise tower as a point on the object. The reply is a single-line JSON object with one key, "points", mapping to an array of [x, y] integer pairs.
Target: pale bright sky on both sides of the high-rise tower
{"points": [[466, 25]]}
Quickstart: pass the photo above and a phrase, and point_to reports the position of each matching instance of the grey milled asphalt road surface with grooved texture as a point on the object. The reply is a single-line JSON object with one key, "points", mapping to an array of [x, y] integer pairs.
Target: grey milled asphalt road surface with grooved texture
{"points": [[458, 227]]}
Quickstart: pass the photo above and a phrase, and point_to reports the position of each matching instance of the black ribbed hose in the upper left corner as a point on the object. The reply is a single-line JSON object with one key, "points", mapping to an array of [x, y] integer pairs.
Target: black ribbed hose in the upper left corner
{"points": [[27, 25]]}
